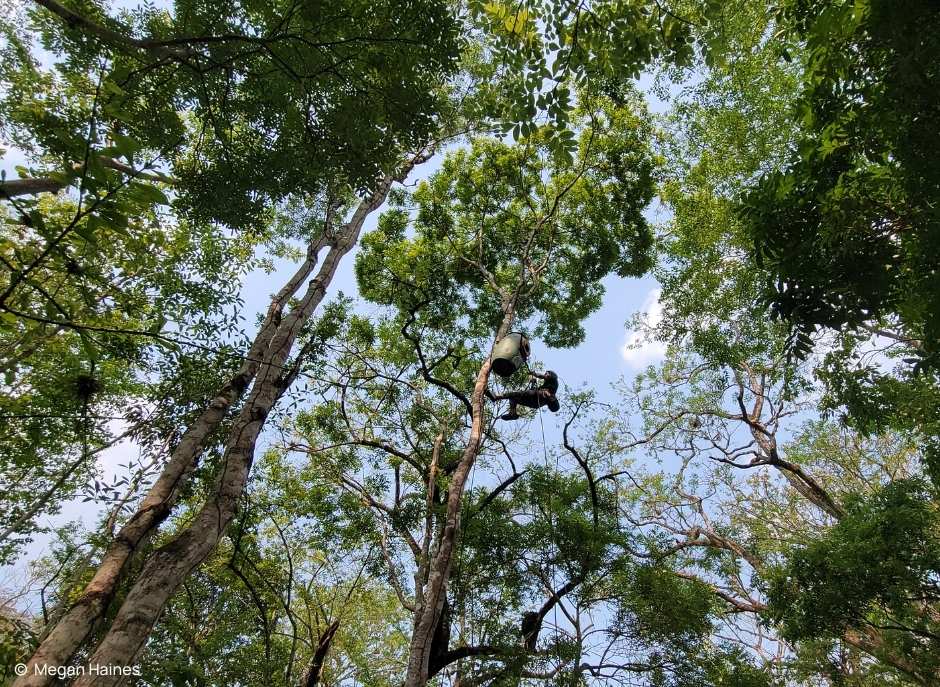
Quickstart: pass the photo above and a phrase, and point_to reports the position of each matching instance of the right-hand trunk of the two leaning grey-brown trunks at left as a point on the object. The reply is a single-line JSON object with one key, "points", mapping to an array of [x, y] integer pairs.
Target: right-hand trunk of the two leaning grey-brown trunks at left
{"points": [[167, 567]]}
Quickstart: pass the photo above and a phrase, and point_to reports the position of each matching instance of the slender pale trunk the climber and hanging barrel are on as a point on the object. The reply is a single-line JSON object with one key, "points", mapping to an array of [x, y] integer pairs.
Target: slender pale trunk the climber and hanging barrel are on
{"points": [[428, 614]]}
